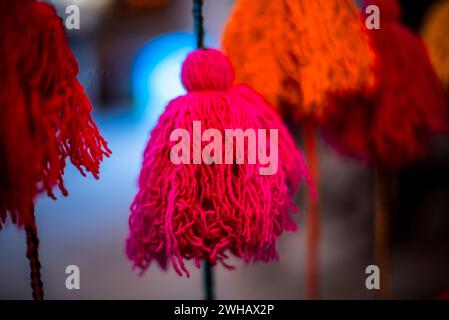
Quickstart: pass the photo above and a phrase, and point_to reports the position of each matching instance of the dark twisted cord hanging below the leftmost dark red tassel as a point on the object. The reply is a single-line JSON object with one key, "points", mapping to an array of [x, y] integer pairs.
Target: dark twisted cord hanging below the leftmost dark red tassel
{"points": [[33, 257]]}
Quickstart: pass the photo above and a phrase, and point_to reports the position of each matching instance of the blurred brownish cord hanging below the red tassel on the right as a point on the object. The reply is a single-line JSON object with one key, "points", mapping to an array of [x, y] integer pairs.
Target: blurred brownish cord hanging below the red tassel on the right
{"points": [[382, 233]]}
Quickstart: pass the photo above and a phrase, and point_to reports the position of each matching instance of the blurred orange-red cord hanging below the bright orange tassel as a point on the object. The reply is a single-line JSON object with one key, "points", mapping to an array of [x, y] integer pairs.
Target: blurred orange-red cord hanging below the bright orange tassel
{"points": [[313, 219]]}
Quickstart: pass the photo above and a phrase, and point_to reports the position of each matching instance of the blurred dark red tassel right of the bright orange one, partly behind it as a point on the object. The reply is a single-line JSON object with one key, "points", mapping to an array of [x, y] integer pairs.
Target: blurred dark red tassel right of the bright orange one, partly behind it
{"points": [[392, 125]]}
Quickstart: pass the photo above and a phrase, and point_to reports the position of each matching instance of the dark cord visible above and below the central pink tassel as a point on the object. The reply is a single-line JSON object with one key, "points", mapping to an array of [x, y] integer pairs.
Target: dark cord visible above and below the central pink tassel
{"points": [[199, 34]]}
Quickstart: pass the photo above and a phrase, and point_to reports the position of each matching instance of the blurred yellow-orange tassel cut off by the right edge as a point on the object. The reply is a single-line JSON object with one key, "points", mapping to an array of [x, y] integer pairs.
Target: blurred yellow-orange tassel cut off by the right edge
{"points": [[436, 38]]}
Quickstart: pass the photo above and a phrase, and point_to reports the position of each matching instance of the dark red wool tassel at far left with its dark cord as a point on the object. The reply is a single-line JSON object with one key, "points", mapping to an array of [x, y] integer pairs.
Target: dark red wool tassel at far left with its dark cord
{"points": [[45, 114]]}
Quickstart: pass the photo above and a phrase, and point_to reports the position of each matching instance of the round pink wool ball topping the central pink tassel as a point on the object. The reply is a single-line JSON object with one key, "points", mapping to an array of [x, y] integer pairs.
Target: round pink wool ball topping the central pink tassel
{"points": [[207, 70]]}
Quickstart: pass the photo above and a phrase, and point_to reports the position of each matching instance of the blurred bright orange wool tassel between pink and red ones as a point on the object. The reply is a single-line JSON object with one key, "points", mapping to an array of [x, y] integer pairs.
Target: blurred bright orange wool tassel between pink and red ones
{"points": [[296, 52]]}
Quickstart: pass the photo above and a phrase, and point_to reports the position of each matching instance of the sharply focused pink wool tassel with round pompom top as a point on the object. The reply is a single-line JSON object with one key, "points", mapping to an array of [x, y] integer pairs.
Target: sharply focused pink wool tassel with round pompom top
{"points": [[202, 211]]}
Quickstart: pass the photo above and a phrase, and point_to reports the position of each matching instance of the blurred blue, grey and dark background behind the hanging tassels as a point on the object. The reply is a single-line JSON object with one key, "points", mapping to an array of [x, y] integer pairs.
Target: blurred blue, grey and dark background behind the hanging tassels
{"points": [[130, 53]]}
